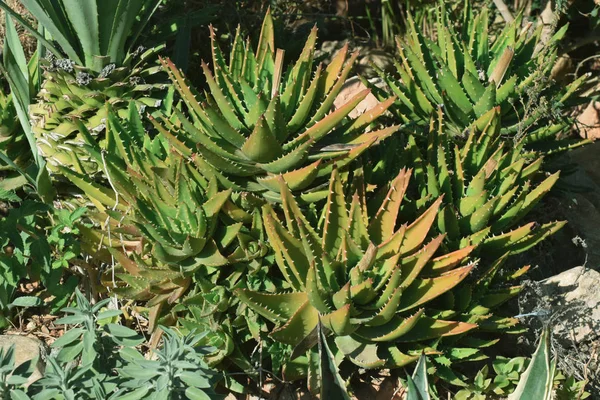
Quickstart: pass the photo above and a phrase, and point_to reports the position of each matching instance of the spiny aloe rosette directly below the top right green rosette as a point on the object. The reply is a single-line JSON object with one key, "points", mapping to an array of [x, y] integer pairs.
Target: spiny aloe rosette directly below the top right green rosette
{"points": [[489, 187]]}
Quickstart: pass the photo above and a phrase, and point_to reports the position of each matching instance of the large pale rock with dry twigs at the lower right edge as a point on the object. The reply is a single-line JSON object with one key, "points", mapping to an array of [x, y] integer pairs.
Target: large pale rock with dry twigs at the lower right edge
{"points": [[572, 299]]}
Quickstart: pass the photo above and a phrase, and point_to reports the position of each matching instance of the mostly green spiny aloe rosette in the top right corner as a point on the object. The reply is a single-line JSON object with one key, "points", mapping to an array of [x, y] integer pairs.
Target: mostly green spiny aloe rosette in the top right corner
{"points": [[470, 72]]}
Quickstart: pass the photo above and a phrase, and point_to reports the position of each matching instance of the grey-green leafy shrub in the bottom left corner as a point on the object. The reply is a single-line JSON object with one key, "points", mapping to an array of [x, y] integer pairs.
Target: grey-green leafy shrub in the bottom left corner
{"points": [[97, 359]]}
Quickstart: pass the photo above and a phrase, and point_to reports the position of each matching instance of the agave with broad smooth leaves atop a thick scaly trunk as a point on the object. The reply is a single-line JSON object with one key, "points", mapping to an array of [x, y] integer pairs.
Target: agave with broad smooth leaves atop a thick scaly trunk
{"points": [[96, 62]]}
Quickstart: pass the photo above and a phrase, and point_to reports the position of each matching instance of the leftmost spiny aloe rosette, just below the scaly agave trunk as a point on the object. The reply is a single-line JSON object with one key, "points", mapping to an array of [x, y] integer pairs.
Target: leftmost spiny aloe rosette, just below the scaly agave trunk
{"points": [[159, 196]]}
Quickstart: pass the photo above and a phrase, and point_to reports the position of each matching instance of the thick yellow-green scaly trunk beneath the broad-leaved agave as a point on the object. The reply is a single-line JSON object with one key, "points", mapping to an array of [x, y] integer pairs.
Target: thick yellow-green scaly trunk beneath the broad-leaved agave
{"points": [[69, 95]]}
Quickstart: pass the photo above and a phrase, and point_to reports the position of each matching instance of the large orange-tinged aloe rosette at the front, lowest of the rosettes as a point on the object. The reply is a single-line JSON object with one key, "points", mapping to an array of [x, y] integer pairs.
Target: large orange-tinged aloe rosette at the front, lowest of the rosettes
{"points": [[367, 280]]}
